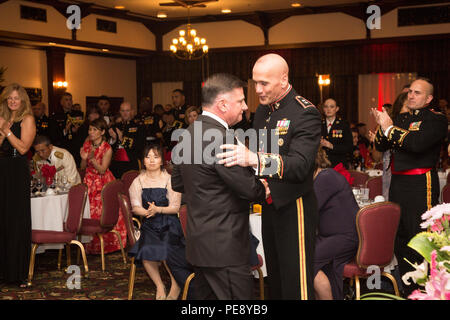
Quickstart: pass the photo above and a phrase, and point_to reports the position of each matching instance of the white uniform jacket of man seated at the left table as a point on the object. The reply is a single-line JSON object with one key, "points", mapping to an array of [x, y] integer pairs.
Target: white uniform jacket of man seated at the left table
{"points": [[63, 162]]}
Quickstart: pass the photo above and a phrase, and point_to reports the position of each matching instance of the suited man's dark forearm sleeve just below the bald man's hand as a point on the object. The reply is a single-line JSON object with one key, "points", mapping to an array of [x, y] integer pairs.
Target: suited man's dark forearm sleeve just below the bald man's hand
{"points": [[243, 182]]}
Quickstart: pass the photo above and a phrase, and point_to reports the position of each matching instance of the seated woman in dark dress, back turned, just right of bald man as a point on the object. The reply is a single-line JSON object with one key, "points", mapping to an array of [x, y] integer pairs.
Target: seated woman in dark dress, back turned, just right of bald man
{"points": [[337, 238]]}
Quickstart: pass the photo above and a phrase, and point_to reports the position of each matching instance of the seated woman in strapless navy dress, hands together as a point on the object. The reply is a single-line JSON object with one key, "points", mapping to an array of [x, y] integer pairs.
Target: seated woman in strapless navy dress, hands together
{"points": [[152, 197]]}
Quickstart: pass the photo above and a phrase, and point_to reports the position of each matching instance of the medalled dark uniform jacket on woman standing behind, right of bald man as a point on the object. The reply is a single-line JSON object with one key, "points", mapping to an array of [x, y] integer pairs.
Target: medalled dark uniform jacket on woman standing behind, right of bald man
{"points": [[340, 136]]}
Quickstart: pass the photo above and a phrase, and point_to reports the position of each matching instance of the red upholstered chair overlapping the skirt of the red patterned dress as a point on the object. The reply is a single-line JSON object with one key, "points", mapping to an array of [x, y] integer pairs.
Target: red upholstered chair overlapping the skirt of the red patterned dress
{"points": [[108, 219]]}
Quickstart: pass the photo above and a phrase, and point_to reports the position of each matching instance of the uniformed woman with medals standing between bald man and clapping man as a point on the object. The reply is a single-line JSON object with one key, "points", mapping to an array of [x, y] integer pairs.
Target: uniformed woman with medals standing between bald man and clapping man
{"points": [[336, 135]]}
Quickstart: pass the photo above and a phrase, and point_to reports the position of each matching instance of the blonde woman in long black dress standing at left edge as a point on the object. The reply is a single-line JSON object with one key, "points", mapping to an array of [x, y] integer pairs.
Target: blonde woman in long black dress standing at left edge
{"points": [[17, 131]]}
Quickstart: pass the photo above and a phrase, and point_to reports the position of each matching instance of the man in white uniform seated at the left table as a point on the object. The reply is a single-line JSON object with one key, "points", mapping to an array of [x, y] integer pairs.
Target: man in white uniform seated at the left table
{"points": [[47, 153]]}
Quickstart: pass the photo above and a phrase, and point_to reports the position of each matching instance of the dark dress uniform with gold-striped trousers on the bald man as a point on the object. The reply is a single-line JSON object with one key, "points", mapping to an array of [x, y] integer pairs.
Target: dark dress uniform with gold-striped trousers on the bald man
{"points": [[289, 223]]}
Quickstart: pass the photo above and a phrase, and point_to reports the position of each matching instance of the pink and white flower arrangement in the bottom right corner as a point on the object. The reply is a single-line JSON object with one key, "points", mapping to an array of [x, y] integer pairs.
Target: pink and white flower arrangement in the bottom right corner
{"points": [[434, 246]]}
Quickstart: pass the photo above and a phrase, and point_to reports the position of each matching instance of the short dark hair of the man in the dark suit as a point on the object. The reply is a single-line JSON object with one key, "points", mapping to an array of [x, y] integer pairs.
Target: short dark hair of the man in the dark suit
{"points": [[219, 83]]}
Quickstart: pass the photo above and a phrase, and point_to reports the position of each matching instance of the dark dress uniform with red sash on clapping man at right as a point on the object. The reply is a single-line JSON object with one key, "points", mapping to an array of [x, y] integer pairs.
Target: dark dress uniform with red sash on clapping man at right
{"points": [[415, 141]]}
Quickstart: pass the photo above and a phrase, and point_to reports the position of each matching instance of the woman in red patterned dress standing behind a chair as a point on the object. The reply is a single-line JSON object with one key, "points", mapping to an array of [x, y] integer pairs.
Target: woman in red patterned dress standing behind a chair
{"points": [[96, 156]]}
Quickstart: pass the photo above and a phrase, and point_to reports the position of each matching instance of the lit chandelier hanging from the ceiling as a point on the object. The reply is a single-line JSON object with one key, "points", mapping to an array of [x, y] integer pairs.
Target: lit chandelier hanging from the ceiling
{"points": [[189, 46]]}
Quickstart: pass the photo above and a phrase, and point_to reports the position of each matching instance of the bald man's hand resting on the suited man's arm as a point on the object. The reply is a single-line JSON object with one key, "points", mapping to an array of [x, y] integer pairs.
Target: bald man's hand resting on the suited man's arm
{"points": [[237, 155]]}
